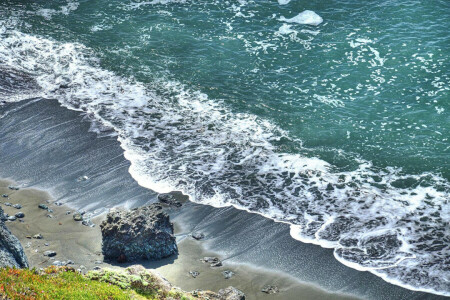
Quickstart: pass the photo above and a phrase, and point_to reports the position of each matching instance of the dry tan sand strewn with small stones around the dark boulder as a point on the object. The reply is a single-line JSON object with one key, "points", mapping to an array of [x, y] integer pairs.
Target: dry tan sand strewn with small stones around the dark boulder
{"points": [[82, 244]]}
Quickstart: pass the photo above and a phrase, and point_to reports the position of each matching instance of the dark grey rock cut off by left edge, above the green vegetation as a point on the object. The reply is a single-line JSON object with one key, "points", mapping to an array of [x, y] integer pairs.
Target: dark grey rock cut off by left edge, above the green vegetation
{"points": [[11, 251]]}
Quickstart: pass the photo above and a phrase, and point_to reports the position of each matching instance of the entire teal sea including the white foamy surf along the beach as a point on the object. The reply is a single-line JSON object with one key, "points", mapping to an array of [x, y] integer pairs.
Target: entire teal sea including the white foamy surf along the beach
{"points": [[334, 120]]}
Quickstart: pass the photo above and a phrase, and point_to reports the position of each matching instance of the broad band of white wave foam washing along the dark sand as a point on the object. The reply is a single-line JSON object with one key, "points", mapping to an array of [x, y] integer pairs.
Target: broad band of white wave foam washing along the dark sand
{"points": [[381, 220]]}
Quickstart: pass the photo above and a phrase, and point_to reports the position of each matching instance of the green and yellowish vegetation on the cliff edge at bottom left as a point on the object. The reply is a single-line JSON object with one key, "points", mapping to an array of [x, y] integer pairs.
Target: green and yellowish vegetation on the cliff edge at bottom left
{"points": [[66, 283]]}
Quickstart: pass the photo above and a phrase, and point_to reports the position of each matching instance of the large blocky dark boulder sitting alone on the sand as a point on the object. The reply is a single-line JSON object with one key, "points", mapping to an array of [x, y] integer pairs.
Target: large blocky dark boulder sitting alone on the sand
{"points": [[142, 233]]}
